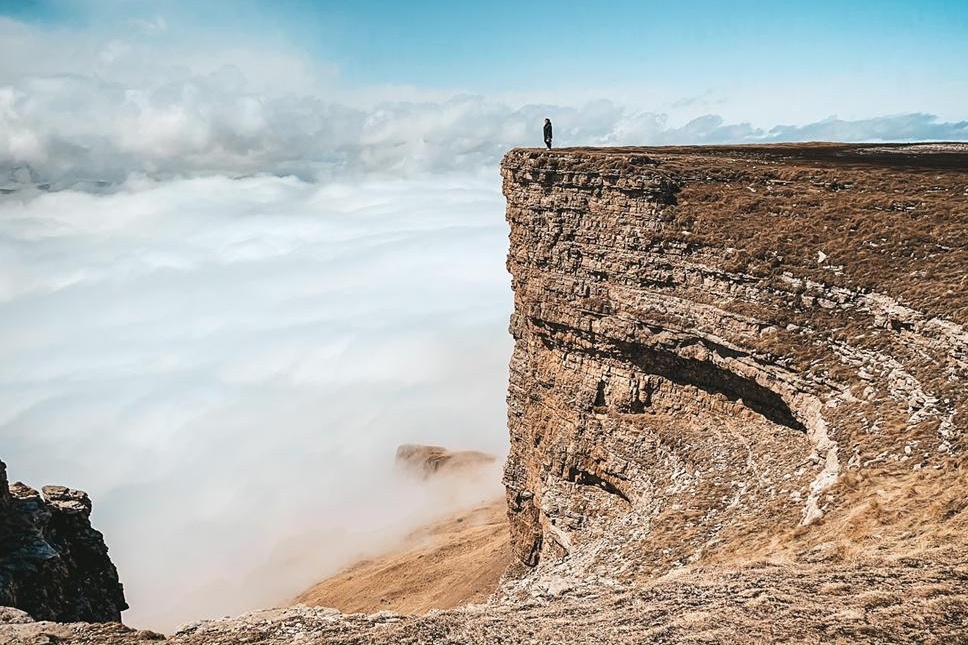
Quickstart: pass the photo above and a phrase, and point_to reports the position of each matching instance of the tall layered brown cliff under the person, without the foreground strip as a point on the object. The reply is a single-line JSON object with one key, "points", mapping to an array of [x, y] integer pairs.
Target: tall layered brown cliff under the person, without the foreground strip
{"points": [[733, 353]]}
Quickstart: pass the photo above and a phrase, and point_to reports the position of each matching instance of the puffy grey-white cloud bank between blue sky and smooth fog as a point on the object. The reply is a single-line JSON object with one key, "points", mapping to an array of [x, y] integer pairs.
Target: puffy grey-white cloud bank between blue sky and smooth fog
{"points": [[73, 107]]}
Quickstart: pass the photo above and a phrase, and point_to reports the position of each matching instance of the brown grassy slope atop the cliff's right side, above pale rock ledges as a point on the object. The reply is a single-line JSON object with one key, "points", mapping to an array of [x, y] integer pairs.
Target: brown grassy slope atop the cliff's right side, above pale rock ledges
{"points": [[895, 224]]}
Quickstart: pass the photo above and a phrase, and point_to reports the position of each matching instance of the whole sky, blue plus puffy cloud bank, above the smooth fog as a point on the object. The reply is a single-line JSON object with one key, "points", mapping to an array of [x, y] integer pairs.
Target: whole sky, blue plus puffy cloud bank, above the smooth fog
{"points": [[105, 89]]}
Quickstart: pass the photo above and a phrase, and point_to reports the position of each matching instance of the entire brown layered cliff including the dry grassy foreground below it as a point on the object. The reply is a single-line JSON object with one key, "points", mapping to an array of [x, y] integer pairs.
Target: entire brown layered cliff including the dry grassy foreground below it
{"points": [[736, 406]]}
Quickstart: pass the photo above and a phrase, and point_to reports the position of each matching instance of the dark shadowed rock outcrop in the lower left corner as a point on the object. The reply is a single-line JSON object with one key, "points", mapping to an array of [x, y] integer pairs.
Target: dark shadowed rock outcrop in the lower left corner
{"points": [[53, 564]]}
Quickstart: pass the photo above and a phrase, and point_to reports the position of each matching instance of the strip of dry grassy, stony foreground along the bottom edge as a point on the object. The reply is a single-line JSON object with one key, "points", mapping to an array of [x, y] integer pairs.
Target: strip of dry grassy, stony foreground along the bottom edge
{"points": [[909, 601]]}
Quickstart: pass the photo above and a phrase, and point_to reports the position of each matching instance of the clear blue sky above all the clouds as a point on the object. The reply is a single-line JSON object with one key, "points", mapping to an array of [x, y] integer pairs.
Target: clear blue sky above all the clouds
{"points": [[508, 45]]}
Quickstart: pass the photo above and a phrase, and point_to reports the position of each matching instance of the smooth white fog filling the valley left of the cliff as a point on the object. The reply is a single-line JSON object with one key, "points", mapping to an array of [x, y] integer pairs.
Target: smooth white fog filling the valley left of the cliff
{"points": [[228, 365]]}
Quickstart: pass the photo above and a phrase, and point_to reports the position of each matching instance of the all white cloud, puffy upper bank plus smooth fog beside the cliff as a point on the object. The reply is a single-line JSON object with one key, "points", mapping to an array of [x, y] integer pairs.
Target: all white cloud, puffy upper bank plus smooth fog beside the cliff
{"points": [[230, 286]]}
